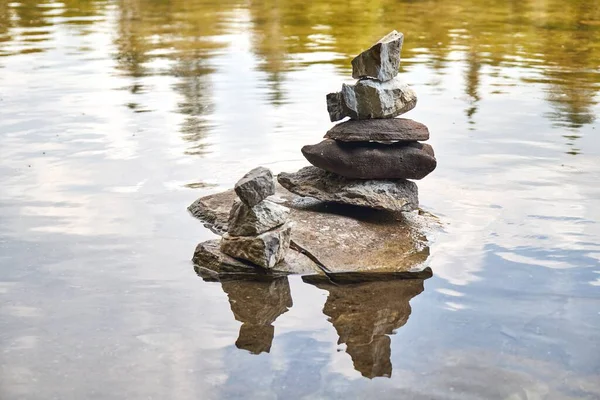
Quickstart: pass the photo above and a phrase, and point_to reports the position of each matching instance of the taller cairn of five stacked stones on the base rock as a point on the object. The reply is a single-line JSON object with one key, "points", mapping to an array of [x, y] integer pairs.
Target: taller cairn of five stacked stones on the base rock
{"points": [[367, 160]]}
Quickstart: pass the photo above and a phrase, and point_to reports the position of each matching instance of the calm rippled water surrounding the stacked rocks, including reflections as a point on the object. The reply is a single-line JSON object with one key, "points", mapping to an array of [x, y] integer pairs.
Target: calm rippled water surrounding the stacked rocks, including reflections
{"points": [[115, 115]]}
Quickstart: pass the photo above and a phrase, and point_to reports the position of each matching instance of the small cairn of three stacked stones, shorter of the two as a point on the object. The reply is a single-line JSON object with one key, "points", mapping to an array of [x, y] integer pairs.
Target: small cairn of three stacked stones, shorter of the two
{"points": [[258, 229]]}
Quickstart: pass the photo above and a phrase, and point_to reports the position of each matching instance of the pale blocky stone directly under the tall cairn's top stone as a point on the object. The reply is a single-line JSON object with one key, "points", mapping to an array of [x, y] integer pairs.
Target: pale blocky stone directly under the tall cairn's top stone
{"points": [[371, 99]]}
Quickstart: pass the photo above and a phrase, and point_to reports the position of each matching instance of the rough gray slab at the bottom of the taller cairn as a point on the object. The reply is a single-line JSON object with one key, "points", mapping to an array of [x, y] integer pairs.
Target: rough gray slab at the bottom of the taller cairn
{"points": [[395, 196]]}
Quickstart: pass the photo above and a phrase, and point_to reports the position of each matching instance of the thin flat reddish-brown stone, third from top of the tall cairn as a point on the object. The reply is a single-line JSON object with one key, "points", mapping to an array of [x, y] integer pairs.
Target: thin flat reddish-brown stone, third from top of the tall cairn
{"points": [[379, 130]]}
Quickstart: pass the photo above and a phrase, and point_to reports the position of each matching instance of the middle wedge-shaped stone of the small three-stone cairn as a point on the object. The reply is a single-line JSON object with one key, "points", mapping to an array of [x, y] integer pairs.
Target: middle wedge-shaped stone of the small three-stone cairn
{"points": [[252, 221]]}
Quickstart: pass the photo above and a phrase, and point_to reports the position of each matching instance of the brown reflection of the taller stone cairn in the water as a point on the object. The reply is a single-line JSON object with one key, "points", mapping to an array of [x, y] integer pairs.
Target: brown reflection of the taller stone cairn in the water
{"points": [[365, 314]]}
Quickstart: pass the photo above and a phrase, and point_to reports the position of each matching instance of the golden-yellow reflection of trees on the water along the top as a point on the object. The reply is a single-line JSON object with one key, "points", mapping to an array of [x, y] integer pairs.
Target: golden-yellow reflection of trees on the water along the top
{"points": [[558, 41]]}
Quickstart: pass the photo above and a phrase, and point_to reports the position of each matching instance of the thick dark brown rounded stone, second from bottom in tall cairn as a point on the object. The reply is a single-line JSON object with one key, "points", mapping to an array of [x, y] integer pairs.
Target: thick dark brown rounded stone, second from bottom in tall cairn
{"points": [[360, 160]]}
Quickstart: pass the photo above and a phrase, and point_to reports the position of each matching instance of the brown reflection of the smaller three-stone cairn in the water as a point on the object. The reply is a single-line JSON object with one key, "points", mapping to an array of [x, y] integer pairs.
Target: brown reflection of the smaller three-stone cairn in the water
{"points": [[256, 304]]}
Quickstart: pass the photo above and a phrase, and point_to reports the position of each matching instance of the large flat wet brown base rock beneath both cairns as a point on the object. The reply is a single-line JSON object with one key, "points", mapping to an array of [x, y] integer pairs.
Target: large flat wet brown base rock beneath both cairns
{"points": [[346, 241]]}
